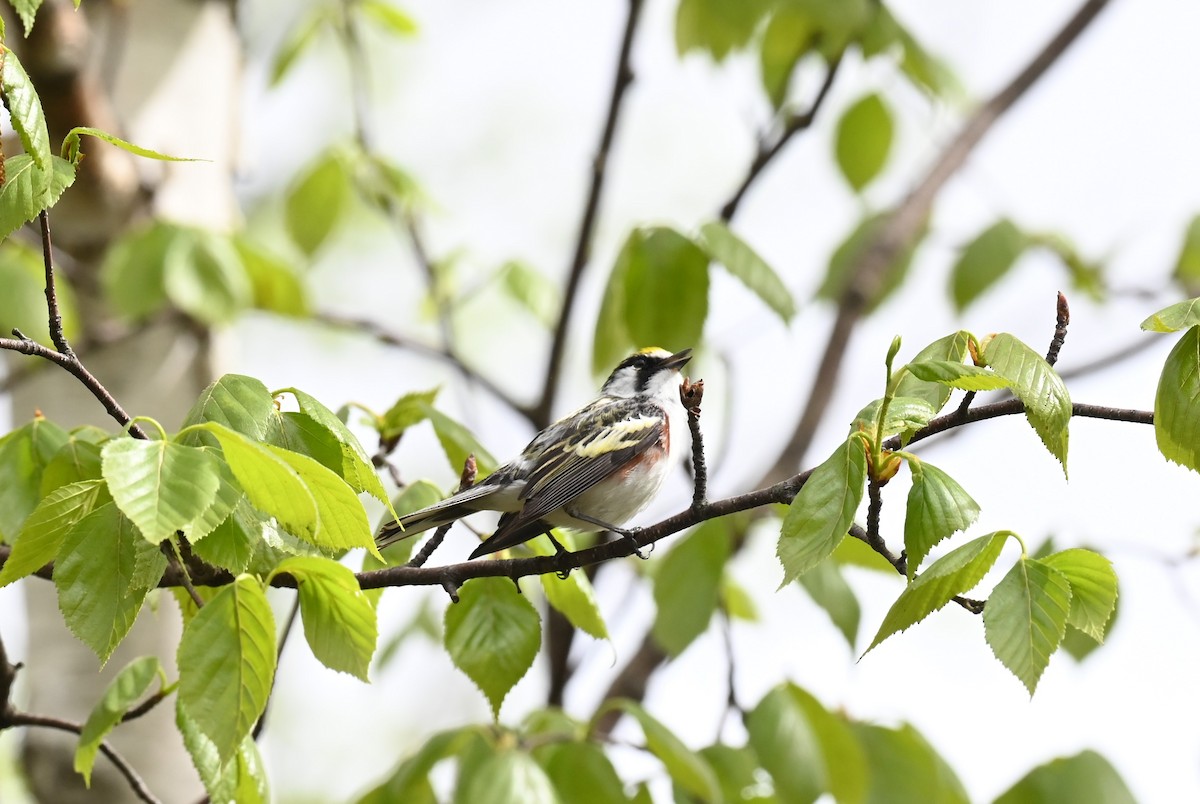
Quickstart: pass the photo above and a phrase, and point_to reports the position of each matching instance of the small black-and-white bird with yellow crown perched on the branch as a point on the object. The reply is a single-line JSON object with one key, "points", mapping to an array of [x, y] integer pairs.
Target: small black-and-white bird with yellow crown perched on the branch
{"points": [[593, 470]]}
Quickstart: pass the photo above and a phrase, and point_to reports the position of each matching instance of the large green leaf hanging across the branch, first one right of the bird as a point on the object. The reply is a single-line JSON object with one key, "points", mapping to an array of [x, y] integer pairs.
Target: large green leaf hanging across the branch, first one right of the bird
{"points": [[823, 513]]}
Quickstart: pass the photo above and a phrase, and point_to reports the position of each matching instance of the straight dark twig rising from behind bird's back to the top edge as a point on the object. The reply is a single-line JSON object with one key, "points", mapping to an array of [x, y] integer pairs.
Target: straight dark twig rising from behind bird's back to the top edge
{"points": [[622, 80]]}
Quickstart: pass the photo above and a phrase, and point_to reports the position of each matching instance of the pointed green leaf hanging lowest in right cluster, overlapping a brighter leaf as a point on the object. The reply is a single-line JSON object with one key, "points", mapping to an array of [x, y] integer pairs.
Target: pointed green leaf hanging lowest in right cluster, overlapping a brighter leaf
{"points": [[1027, 619]]}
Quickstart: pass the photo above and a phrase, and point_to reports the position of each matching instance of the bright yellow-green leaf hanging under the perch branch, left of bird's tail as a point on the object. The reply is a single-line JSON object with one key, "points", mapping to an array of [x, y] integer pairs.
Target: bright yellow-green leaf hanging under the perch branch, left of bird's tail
{"points": [[339, 620]]}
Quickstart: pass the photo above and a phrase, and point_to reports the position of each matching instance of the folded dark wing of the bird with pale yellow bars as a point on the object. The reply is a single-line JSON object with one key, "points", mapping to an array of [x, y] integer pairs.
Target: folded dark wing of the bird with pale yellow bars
{"points": [[593, 445]]}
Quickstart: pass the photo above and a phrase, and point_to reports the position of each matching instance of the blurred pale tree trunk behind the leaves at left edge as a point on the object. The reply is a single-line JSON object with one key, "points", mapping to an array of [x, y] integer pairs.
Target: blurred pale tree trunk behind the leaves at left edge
{"points": [[163, 74]]}
